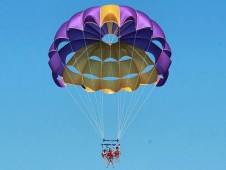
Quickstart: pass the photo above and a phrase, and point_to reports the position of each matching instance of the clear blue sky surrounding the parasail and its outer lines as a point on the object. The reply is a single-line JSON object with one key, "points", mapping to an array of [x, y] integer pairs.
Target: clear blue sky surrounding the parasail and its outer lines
{"points": [[181, 127]]}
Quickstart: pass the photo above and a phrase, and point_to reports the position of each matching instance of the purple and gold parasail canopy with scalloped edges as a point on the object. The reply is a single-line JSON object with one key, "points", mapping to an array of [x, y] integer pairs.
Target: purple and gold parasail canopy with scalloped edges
{"points": [[109, 48]]}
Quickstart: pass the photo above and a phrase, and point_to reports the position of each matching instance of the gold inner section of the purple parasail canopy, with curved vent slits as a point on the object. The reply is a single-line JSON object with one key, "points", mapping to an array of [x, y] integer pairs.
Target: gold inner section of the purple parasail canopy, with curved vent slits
{"points": [[102, 61]]}
